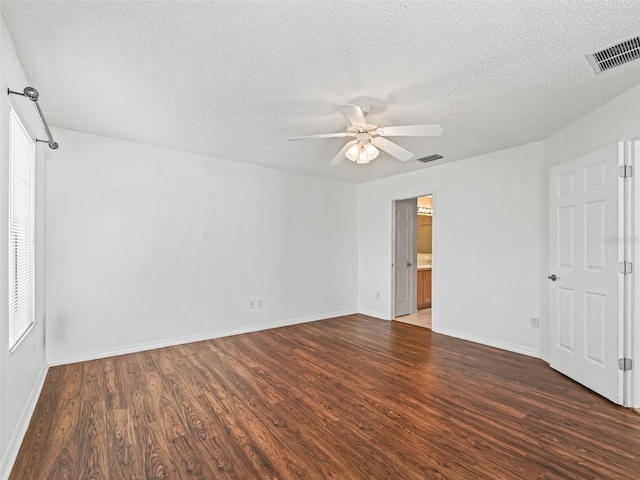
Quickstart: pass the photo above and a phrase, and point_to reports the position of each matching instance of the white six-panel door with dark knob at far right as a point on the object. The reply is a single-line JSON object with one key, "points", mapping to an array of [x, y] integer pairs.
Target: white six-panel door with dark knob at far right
{"points": [[587, 232]]}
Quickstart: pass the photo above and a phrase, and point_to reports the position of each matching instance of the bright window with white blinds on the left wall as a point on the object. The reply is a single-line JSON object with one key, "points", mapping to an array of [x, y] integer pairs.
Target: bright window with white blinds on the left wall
{"points": [[21, 231]]}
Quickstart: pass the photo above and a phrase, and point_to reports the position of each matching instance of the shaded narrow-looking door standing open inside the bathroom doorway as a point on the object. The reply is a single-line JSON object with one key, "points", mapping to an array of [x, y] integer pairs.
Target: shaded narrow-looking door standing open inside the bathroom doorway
{"points": [[405, 257]]}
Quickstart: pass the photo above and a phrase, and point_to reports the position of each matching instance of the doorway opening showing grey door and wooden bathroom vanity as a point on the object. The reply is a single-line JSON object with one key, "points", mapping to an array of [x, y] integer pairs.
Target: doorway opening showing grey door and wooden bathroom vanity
{"points": [[413, 261]]}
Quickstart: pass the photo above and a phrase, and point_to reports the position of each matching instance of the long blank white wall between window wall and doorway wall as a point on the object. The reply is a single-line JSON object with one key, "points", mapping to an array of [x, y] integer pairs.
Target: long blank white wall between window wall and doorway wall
{"points": [[149, 246]]}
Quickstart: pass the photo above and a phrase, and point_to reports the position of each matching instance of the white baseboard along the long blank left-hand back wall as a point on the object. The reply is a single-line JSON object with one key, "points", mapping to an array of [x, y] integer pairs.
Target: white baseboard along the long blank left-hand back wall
{"points": [[112, 352]]}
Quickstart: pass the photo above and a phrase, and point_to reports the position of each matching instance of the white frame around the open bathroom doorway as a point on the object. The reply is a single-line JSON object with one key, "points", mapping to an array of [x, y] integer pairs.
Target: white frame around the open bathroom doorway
{"points": [[392, 243]]}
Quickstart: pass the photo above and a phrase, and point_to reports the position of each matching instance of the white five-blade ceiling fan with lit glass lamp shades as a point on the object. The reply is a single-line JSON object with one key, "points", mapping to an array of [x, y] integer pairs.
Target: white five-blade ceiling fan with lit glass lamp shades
{"points": [[369, 138]]}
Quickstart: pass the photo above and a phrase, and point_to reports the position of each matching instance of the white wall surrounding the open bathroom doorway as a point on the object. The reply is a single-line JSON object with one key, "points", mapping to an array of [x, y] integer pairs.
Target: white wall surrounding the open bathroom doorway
{"points": [[488, 236]]}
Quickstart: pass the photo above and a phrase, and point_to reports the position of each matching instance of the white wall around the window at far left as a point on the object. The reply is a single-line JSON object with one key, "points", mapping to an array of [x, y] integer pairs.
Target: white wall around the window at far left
{"points": [[21, 372]]}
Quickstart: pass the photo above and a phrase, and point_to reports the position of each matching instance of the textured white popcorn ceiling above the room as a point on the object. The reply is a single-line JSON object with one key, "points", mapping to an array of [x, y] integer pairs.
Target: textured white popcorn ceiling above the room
{"points": [[236, 79]]}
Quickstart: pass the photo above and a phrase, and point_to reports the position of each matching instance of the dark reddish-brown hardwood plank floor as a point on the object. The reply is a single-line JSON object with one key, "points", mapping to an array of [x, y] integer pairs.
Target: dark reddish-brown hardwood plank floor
{"points": [[349, 398]]}
